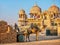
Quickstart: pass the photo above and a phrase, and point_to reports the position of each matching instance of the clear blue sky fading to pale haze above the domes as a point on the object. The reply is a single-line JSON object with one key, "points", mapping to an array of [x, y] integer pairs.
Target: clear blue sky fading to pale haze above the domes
{"points": [[9, 8]]}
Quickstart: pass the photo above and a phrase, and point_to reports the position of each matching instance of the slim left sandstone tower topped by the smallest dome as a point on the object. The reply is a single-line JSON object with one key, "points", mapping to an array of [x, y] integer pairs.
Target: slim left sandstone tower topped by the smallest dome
{"points": [[22, 18]]}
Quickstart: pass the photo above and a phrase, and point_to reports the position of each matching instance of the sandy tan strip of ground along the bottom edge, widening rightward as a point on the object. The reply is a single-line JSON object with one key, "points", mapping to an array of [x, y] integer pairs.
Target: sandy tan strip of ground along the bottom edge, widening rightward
{"points": [[45, 42]]}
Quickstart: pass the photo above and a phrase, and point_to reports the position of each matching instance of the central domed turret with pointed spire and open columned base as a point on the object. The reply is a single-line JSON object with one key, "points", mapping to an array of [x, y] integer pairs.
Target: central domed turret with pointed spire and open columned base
{"points": [[35, 11]]}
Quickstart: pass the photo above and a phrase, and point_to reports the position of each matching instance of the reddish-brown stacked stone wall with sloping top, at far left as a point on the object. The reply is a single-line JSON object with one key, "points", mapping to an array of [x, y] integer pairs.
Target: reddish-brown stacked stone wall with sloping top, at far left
{"points": [[5, 37]]}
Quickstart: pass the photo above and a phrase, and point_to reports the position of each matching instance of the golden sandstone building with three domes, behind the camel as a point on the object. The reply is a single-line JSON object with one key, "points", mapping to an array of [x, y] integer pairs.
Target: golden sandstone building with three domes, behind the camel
{"points": [[49, 18]]}
